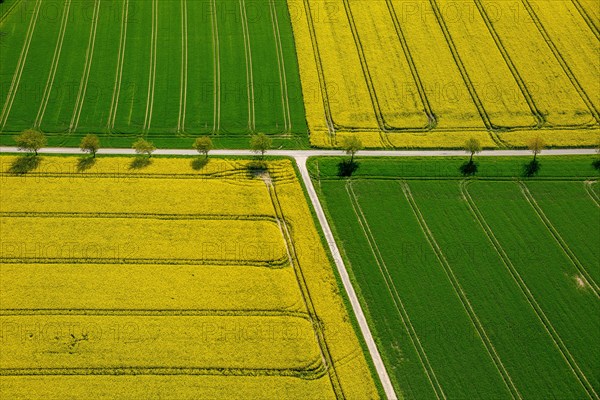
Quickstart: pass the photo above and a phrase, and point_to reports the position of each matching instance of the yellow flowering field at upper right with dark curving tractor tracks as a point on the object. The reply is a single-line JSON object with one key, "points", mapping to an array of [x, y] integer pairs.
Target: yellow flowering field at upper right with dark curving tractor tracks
{"points": [[432, 73]]}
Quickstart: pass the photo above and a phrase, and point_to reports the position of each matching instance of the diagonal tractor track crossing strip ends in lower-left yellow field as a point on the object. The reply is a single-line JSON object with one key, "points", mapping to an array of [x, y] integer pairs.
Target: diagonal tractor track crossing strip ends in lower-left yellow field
{"points": [[294, 262]]}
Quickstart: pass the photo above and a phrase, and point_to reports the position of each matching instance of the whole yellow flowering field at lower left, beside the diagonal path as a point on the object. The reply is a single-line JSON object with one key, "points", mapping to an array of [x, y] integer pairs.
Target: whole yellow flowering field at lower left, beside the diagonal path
{"points": [[172, 281]]}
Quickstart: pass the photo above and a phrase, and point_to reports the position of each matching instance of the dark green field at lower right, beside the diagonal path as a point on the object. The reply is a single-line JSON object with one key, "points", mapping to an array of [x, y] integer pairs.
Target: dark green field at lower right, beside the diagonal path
{"points": [[478, 288]]}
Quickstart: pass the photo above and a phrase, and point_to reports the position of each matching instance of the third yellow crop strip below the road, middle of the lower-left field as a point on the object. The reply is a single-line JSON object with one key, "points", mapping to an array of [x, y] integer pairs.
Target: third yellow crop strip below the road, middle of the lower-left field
{"points": [[180, 286]]}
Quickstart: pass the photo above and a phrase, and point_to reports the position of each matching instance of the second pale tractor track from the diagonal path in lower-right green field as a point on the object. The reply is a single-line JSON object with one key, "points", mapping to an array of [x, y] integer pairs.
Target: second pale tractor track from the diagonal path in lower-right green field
{"points": [[464, 299]]}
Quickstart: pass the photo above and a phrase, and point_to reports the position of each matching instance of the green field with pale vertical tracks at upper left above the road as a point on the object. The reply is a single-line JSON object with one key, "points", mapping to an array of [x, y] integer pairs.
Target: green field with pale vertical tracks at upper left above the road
{"points": [[168, 70]]}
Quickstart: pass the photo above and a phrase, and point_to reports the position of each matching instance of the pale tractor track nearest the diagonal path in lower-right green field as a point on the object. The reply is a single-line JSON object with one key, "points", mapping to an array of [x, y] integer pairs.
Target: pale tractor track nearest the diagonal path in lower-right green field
{"points": [[391, 286]]}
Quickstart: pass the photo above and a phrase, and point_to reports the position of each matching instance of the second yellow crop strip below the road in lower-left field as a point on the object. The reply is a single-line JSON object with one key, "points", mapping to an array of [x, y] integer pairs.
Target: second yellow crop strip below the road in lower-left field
{"points": [[134, 239]]}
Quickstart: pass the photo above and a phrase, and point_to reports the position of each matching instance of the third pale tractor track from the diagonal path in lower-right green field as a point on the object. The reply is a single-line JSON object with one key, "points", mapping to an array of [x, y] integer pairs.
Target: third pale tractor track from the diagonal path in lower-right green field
{"points": [[548, 327]]}
